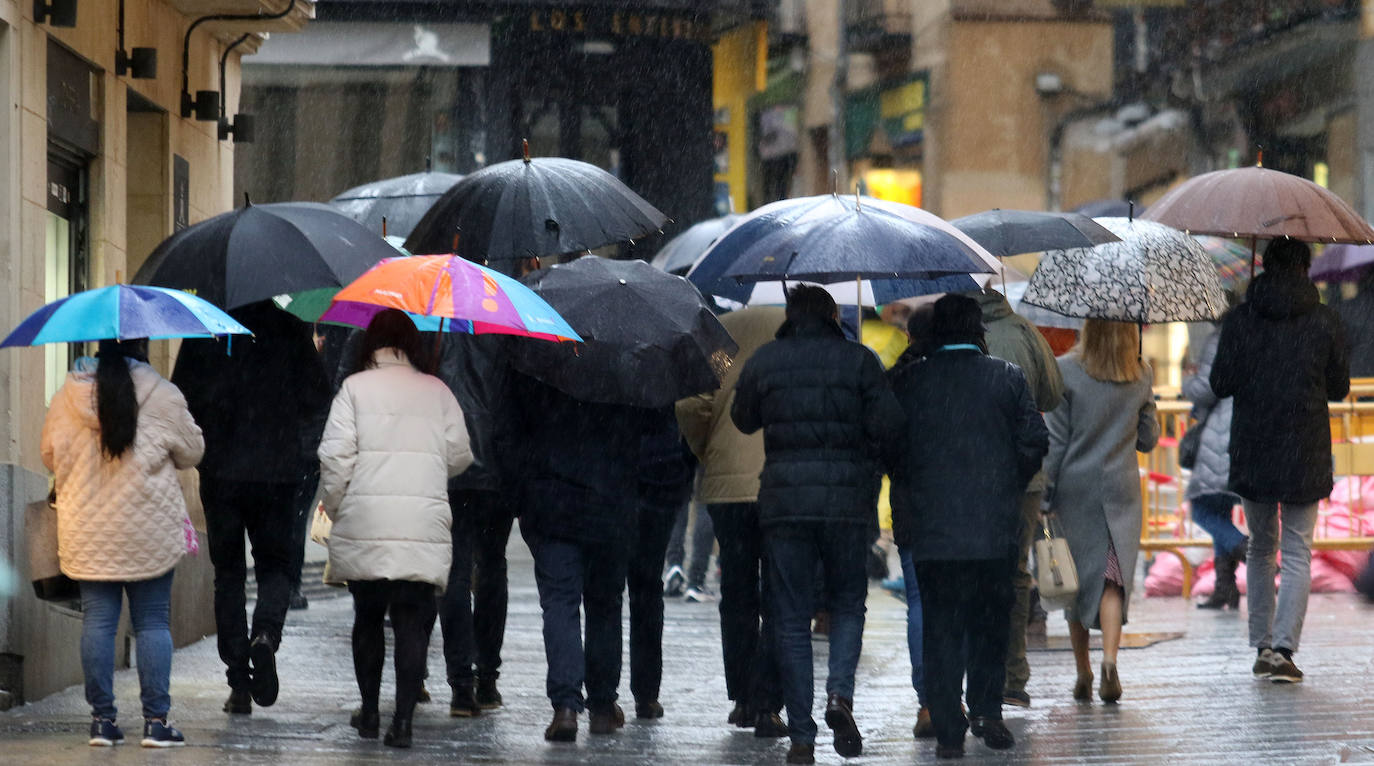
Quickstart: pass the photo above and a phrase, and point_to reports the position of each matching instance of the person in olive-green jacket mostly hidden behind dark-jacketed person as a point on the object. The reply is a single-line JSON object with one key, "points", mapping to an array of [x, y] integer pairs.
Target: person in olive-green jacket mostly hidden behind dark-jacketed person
{"points": [[1013, 339]]}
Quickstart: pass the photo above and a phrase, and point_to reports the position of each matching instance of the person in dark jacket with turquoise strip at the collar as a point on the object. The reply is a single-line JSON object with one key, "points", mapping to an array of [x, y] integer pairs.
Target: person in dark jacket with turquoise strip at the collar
{"points": [[973, 441]]}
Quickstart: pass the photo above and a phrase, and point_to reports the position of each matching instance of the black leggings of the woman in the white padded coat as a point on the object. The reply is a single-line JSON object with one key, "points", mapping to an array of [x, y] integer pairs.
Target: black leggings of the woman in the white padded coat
{"points": [[412, 606]]}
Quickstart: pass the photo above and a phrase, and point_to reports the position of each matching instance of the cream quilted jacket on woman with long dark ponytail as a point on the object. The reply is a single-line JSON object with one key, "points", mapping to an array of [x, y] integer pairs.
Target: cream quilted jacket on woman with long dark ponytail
{"points": [[124, 519]]}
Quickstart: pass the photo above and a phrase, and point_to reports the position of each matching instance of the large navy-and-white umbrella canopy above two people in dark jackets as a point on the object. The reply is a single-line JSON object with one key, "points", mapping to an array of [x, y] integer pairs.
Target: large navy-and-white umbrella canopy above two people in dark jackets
{"points": [[844, 239]]}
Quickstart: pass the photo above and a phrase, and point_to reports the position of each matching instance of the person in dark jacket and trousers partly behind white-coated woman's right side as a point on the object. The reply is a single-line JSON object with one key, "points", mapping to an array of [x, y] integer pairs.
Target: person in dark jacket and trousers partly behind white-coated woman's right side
{"points": [[472, 613]]}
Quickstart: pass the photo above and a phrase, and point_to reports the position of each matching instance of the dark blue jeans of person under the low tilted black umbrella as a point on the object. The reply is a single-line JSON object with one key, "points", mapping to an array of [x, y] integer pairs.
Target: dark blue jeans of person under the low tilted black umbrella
{"points": [[592, 577]]}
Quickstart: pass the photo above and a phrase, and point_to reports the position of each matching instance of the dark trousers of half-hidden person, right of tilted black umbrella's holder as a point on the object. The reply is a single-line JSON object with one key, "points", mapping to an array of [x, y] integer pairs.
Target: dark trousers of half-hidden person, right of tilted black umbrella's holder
{"points": [[645, 581]]}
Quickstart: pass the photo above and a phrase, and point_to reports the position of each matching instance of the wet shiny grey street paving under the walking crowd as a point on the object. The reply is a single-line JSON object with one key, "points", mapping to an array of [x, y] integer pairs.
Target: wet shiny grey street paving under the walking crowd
{"points": [[1189, 699]]}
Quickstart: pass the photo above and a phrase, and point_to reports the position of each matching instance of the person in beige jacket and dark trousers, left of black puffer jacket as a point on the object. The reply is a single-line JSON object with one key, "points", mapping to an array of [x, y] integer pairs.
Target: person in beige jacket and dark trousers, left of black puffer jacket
{"points": [[729, 489]]}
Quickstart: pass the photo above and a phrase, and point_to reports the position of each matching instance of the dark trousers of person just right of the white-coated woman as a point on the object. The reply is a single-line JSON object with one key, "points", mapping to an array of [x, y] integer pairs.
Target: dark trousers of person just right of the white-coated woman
{"points": [[472, 611]]}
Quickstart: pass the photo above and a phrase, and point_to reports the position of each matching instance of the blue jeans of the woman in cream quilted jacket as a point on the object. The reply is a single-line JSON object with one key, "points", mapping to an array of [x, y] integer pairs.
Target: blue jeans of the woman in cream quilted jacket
{"points": [[150, 610]]}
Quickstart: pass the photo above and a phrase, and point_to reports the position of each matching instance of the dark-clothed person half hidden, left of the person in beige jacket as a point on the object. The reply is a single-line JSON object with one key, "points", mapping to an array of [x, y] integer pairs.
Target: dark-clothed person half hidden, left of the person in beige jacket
{"points": [[666, 478]]}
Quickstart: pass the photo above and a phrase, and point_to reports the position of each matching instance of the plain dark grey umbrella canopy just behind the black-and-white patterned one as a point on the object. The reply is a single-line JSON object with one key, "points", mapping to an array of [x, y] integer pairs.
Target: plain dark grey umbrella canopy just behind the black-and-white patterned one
{"points": [[1012, 233]]}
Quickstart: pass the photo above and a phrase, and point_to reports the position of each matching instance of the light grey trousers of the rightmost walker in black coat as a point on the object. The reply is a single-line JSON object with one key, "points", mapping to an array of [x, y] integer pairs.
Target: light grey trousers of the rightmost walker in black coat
{"points": [[1281, 628]]}
